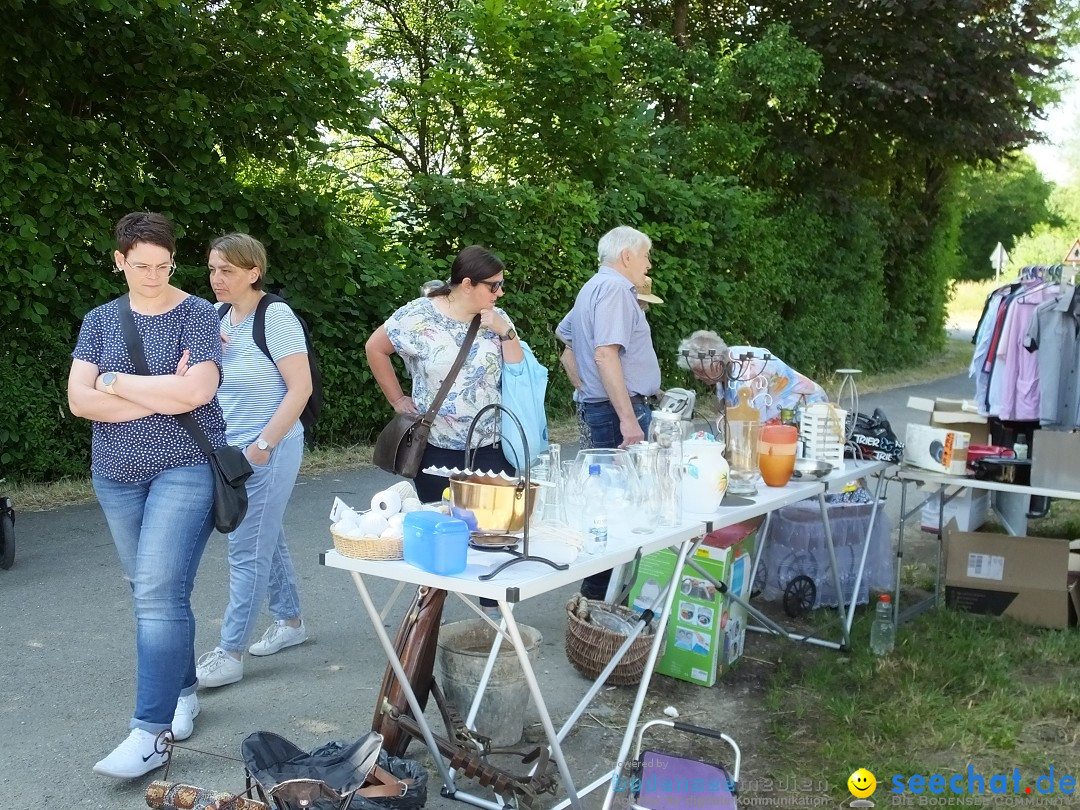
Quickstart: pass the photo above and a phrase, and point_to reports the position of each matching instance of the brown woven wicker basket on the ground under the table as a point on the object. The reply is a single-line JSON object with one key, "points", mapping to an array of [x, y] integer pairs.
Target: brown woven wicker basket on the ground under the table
{"points": [[591, 647]]}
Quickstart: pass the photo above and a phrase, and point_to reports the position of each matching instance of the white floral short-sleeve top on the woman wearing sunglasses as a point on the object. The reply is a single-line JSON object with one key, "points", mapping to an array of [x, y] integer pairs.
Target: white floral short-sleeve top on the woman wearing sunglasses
{"points": [[429, 343]]}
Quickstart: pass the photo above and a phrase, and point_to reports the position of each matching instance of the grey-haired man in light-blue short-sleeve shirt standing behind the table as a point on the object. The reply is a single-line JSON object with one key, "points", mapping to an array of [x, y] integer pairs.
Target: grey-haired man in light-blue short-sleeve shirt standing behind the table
{"points": [[614, 355]]}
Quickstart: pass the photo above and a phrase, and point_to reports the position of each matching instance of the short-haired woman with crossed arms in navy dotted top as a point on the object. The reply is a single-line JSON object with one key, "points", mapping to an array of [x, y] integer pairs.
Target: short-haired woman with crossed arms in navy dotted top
{"points": [[154, 483]]}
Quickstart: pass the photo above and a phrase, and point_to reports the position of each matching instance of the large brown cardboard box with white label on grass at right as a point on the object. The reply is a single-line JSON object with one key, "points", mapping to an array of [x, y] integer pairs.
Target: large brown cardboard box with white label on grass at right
{"points": [[1024, 578]]}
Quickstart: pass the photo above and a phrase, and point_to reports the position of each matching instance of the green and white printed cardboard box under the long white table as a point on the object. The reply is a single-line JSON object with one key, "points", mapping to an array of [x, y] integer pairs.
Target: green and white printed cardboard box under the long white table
{"points": [[707, 631]]}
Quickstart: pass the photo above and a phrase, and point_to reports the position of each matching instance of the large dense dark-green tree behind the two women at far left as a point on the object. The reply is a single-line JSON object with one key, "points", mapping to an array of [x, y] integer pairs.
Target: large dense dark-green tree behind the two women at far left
{"points": [[208, 112]]}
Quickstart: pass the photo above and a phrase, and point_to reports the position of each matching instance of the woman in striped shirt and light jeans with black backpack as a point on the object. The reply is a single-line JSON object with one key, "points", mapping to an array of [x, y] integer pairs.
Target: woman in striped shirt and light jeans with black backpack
{"points": [[263, 399]]}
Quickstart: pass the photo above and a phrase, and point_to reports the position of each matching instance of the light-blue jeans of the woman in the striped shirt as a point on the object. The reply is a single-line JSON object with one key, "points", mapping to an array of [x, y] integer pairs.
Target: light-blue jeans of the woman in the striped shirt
{"points": [[259, 557]]}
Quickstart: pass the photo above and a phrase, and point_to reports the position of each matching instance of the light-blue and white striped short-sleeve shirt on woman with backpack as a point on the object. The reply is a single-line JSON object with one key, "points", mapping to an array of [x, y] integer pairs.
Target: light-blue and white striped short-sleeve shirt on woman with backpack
{"points": [[253, 388]]}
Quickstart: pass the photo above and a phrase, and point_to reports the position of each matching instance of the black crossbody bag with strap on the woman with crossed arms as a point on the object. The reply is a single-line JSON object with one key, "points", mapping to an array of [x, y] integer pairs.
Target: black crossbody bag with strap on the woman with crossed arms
{"points": [[229, 465]]}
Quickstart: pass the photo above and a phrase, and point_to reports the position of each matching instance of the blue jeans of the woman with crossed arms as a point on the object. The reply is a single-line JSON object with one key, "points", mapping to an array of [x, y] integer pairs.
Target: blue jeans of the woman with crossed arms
{"points": [[160, 529]]}
